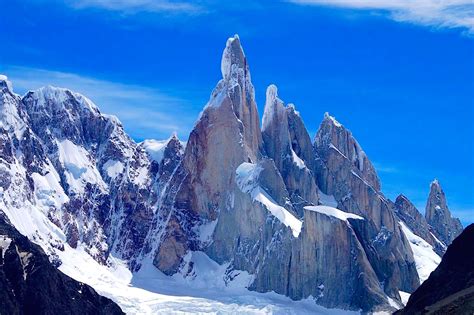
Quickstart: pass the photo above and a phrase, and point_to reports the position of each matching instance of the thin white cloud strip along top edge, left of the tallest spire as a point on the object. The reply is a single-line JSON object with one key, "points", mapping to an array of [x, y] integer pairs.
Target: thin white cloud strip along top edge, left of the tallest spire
{"points": [[133, 6]]}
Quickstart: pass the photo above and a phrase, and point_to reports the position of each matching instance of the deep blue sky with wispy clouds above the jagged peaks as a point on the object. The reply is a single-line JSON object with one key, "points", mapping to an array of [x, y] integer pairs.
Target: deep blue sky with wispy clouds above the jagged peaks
{"points": [[398, 74]]}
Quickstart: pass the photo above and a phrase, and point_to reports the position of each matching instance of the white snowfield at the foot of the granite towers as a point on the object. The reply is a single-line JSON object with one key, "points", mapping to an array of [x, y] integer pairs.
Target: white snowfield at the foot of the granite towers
{"points": [[204, 290]]}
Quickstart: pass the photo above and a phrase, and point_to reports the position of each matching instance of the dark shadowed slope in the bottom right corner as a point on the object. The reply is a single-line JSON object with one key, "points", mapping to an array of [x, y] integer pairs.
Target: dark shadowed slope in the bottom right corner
{"points": [[450, 288]]}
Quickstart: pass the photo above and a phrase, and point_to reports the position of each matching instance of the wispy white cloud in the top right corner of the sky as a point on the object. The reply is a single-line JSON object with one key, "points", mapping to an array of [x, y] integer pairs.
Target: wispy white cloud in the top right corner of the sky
{"points": [[437, 13]]}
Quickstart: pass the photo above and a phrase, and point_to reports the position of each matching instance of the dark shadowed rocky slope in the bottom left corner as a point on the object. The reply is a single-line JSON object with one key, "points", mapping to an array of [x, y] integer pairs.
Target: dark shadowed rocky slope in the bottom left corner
{"points": [[30, 284]]}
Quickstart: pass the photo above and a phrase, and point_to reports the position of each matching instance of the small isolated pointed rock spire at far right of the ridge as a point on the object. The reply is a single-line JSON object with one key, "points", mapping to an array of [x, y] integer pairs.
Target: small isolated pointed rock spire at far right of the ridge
{"points": [[445, 227]]}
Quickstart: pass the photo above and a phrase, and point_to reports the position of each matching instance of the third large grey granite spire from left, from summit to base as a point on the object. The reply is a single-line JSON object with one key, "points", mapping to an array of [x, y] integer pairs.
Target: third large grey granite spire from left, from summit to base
{"points": [[347, 174]]}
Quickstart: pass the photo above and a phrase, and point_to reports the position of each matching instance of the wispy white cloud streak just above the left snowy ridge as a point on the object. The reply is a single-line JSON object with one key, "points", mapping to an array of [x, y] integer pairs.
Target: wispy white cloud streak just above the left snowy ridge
{"points": [[144, 111]]}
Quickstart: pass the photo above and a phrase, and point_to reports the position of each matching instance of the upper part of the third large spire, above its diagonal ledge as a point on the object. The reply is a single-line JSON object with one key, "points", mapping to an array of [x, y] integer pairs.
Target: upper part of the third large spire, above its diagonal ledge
{"points": [[332, 135]]}
